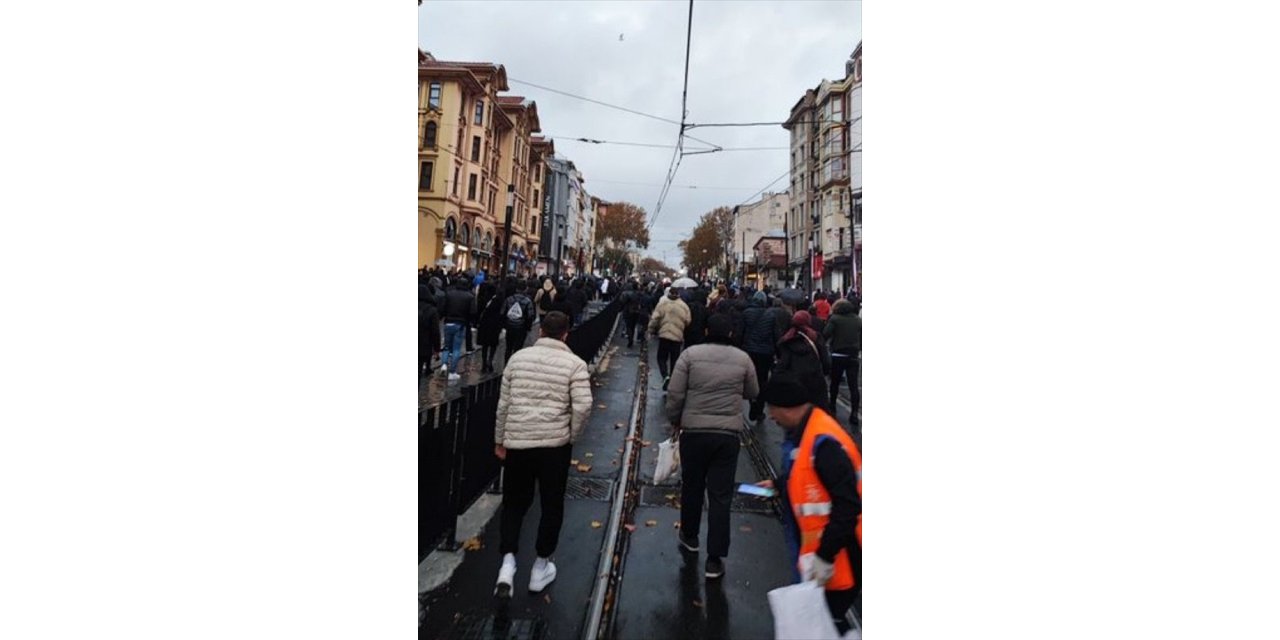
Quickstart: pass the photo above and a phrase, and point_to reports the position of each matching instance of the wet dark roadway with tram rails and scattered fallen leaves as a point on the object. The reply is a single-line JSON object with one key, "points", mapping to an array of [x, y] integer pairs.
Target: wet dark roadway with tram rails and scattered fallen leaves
{"points": [[662, 592]]}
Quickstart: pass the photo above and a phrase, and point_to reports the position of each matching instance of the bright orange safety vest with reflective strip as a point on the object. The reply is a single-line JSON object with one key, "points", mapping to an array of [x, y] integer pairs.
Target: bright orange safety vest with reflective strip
{"points": [[810, 499]]}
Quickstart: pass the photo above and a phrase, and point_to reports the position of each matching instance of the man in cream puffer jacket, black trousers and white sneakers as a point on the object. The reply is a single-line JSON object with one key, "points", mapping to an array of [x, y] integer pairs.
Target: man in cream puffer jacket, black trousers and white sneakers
{"points": [[543, 408]]}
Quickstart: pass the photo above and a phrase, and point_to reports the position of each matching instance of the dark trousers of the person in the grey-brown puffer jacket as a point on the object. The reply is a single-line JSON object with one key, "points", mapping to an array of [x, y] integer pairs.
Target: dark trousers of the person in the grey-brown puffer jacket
{"points": [[707, 465]]}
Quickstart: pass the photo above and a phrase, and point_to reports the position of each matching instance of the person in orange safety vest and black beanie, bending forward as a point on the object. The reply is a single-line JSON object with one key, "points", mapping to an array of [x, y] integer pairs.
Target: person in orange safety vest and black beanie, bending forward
{"points": [[824, 492]]}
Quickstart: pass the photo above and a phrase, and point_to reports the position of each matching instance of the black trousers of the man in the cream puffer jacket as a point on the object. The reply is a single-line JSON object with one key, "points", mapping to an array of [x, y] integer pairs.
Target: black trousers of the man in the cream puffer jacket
{"points": [[548, 468]]}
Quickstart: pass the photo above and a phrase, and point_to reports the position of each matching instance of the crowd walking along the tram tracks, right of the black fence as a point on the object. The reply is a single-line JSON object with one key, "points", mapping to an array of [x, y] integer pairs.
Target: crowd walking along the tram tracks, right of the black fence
{"points": [[717, 348]]}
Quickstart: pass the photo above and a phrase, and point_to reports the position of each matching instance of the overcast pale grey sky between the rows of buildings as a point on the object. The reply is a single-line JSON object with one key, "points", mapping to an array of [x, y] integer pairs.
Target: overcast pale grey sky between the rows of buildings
{"points": [[751, 62]]}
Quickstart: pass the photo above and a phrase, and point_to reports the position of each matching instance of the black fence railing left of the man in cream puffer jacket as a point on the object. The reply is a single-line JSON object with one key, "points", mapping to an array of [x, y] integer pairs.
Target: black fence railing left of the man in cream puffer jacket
{"points": [[455, 445]]}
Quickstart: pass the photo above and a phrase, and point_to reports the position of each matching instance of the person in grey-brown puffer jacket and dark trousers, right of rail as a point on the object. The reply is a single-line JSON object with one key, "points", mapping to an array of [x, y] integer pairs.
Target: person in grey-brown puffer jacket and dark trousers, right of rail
{"points": [[705, 406]]}
